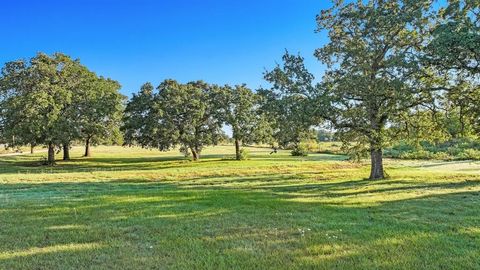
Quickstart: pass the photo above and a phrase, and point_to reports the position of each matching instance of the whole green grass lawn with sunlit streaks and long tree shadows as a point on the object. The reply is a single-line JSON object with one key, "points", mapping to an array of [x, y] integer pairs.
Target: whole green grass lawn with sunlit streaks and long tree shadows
{"points": [[129, 208]]}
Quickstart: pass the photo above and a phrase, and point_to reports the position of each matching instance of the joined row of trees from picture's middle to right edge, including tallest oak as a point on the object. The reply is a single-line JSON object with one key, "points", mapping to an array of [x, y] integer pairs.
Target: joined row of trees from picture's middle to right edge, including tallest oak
{"points": [[395, 69]]}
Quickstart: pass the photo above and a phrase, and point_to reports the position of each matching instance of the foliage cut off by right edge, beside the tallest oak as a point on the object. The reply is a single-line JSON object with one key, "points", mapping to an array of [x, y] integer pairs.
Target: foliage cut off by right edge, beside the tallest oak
{"points": [[453, 52]]}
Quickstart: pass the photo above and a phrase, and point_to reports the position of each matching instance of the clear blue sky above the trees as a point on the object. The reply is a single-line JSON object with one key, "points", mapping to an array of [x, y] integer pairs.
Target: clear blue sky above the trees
{"points": [[219, 41]]}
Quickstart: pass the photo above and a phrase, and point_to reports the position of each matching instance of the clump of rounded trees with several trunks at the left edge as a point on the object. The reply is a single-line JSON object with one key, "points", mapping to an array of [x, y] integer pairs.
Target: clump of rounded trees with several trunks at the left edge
{"points": [[54, 101]]}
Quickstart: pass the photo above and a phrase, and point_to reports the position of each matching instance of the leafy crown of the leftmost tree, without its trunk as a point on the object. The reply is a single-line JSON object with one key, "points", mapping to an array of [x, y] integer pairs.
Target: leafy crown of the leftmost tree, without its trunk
{"points": [[34, 98]]}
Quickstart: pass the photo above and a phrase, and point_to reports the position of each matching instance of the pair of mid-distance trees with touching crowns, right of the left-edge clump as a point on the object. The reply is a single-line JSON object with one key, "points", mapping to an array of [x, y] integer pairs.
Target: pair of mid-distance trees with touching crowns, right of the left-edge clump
{"points": [[192, 116]]}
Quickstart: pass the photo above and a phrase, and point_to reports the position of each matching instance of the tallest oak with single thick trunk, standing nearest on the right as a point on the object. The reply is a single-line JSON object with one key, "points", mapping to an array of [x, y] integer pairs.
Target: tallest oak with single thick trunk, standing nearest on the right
{"points": [[373, 69]]}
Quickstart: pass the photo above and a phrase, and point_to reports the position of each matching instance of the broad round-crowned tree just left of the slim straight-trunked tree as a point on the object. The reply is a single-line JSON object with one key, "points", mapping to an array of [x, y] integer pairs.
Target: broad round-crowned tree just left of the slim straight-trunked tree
{"points": [[186, 115]]}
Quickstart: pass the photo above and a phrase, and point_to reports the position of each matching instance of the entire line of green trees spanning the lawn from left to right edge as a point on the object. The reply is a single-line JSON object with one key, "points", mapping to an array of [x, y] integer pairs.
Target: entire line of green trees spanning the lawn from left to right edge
{"points": [[395, 70]]}
